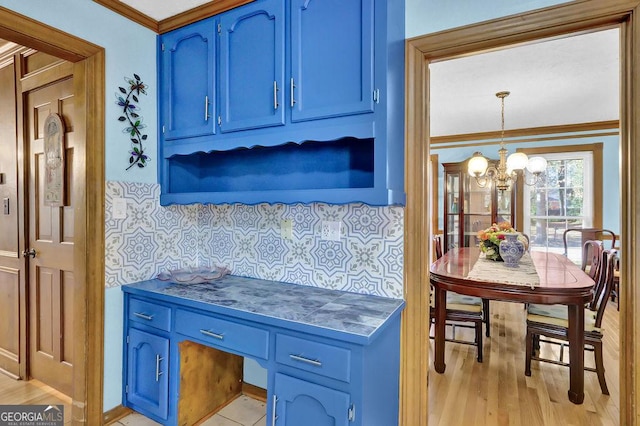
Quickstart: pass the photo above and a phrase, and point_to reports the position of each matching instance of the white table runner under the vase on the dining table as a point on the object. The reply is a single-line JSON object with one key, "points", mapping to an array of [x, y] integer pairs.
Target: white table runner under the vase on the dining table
{"points": [[497, 272]]}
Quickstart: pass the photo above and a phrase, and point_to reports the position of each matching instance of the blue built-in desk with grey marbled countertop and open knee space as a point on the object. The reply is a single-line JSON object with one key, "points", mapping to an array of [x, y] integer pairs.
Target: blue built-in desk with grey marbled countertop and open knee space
{"points": [[185, 344]]}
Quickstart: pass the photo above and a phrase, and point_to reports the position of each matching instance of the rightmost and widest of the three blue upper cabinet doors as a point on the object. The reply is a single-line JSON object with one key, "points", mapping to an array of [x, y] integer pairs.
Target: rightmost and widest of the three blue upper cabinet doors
{"points": [[331, 58]]}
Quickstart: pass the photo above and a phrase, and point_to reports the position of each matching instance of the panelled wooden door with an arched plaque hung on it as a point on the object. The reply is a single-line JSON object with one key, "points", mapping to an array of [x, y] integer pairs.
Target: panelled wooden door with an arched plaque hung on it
{"points": [[51, 235]]}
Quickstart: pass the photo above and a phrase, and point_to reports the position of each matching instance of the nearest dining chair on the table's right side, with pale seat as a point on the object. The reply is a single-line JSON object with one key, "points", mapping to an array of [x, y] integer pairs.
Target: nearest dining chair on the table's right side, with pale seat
{"points": [[551, 321]]}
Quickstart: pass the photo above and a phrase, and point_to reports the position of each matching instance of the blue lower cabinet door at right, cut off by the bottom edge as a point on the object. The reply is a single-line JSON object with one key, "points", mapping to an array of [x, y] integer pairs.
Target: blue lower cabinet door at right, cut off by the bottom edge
{"points": [[304, 403]]}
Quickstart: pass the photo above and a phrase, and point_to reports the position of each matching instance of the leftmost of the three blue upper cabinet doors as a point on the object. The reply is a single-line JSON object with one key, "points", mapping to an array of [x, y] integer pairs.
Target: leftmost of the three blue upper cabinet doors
{"points": [[187, 81]]}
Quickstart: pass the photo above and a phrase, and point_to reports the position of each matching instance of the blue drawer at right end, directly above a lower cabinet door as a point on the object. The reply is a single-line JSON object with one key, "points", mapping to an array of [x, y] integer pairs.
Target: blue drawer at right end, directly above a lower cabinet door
{"points": [[319, 358]]}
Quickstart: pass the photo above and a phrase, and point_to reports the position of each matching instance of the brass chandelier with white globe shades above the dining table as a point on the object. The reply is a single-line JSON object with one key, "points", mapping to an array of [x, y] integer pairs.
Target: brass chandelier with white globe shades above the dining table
{"points": [[506, 172]]}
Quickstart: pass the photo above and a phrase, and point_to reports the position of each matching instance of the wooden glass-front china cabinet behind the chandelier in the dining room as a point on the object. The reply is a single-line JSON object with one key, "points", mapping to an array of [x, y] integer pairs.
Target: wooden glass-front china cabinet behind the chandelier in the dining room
{"points": [[469, 207]]}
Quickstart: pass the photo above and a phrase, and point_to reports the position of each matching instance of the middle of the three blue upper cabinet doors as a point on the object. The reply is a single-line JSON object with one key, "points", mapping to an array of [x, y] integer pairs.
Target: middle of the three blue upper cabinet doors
{"points": [[252, 66]]}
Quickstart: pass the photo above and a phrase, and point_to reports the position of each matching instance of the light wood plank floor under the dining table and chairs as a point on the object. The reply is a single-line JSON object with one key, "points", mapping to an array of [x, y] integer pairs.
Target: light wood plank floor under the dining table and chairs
{"points": [[496, 391]]}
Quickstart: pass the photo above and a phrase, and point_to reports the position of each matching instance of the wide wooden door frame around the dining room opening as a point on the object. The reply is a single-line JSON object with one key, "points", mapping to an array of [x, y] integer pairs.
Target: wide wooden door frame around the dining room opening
{"points": [[554, 21]]}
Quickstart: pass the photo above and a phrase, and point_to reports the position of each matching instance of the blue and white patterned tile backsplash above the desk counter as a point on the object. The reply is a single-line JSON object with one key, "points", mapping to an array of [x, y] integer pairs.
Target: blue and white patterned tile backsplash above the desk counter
{"points": [[247, 240]]}
